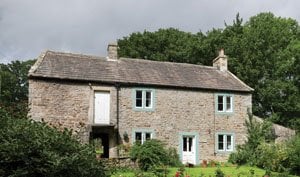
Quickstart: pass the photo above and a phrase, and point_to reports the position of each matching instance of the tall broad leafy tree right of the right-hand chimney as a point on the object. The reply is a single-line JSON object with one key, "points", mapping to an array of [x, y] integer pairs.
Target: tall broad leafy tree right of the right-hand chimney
{"points": [[265, 64]]}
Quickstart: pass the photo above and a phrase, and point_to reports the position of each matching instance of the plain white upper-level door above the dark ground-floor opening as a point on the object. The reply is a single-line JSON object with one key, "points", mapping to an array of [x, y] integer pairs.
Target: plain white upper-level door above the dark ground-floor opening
{"points": [[102, 108]]}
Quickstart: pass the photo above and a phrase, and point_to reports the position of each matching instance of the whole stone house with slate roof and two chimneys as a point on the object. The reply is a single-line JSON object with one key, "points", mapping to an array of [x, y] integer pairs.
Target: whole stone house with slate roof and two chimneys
{"points": [[199, 110]]}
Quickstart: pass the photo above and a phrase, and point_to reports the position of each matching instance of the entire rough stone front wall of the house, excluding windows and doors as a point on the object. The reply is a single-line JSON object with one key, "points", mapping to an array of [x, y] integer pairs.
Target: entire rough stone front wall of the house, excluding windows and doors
{"points": [[70, 104]]}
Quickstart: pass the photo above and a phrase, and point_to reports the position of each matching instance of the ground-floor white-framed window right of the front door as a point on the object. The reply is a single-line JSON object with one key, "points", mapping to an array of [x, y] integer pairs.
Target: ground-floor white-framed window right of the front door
{"points": [[225, 142]]}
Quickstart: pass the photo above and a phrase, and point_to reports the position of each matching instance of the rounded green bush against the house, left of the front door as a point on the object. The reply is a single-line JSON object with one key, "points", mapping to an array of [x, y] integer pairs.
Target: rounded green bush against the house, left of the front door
{"points": [[149, 155]]}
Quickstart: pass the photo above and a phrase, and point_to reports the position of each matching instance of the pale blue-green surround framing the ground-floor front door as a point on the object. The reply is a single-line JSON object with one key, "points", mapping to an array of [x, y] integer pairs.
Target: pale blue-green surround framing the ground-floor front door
{"points": [[180, 147]]}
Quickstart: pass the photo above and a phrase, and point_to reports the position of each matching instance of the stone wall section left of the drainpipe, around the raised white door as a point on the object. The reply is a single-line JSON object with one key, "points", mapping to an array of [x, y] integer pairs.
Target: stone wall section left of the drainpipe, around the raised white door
{"points": [[70, 105]]}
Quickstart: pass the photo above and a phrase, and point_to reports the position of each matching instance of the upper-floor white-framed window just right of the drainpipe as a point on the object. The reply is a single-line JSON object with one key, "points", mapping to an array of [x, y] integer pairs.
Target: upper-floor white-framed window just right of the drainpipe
{"points": [[143, 99]]}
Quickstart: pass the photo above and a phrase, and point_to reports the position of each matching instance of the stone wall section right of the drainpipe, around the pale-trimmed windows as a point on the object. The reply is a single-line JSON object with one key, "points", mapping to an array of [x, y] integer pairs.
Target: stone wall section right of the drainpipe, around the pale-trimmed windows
{"points": [[178, 111]]}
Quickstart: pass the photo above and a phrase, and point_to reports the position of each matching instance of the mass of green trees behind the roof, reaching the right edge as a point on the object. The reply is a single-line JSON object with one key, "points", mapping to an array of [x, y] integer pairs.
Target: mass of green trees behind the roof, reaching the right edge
{"points": [[263, 52]]}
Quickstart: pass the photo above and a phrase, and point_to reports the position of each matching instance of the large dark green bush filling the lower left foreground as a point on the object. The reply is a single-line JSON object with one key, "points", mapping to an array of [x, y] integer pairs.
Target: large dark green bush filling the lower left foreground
{"points": [[29, 148]]}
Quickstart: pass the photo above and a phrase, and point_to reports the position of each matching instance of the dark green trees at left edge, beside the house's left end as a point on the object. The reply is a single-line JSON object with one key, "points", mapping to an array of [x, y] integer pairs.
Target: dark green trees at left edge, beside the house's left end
{"points": [[14, 87]]}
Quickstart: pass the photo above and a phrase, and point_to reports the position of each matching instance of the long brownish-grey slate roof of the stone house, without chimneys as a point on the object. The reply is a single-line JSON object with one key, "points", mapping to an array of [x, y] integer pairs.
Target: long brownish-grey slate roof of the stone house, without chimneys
{"points": [[69, 66]]}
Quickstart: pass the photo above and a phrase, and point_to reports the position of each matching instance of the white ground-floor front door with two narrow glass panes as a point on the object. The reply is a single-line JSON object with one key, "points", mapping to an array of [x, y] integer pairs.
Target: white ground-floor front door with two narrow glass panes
{"points": [[188, 150]]}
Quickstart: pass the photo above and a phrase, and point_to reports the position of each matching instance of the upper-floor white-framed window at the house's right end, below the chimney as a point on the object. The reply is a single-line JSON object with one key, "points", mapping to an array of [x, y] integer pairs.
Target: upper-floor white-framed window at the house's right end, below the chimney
{"points": [[224, 103]]}
